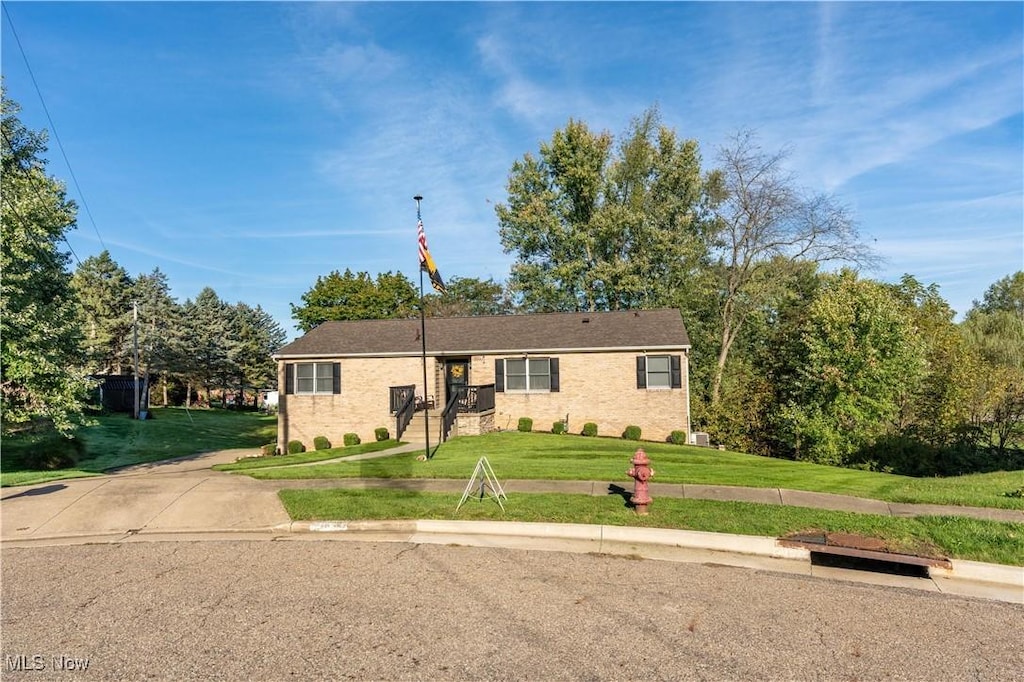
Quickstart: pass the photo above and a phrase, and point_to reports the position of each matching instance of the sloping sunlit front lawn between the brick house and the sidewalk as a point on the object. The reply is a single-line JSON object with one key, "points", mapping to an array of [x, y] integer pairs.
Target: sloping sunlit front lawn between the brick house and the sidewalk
{"points": [[538, 456]]}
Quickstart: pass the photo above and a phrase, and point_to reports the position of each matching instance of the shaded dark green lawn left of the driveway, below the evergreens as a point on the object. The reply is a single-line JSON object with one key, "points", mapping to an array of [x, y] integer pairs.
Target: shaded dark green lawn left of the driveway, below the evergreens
{"points": [[119, 441]]}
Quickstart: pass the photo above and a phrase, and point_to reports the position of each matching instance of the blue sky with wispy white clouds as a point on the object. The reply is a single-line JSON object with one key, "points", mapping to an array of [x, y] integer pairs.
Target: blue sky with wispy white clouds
{"points": [[254, 147]]}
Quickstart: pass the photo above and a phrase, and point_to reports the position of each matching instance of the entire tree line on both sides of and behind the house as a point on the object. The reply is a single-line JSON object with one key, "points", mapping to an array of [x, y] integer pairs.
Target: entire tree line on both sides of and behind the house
{"points": [[796, 353]]}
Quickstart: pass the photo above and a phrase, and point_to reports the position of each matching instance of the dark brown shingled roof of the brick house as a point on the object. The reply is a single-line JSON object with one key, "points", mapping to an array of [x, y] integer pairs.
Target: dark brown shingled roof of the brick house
{"points": [[548, 332]]}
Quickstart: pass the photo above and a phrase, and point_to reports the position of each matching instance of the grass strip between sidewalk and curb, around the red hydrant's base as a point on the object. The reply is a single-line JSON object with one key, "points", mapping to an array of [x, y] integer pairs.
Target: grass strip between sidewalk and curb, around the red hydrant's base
{"points": [[954, 537]]}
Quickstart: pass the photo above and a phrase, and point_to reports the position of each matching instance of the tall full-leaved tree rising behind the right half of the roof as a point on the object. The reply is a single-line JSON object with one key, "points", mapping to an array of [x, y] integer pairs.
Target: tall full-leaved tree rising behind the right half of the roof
{"points": [[595, 227]]}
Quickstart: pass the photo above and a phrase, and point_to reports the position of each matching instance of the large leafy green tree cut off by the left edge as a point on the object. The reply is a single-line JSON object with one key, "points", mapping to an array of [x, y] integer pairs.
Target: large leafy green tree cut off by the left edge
{"points": [[40, 331]]}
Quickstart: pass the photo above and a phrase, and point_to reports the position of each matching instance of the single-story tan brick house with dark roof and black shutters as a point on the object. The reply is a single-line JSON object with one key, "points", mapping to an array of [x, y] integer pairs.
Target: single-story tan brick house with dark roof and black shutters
{"points": [[614, 369]]}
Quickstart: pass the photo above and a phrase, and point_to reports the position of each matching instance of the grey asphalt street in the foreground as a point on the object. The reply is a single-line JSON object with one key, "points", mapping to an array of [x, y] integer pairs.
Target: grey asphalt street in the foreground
{"points": [[290, 610]]}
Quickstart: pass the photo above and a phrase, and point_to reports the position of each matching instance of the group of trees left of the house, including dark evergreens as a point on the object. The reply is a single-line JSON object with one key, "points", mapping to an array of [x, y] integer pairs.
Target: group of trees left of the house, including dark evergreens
{"points": [[61, 330]]}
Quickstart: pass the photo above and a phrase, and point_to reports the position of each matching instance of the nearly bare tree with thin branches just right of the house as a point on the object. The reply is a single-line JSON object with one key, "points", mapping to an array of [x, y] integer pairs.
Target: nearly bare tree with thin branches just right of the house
{"points": [[764, 221]]}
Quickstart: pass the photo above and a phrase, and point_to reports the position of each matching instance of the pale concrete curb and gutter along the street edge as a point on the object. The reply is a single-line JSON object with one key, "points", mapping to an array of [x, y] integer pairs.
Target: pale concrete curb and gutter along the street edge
{"points": [[969, 579]]}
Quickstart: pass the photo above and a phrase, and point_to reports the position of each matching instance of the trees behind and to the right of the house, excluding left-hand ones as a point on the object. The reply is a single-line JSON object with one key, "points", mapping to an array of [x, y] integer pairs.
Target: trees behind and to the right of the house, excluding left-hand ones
{"points": [[796, 353]]}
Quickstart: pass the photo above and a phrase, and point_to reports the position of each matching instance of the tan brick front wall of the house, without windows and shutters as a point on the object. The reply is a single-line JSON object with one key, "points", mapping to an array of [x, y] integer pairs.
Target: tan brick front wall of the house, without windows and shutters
{"points": [[598, 388]]}
